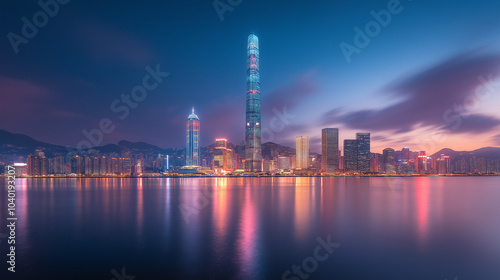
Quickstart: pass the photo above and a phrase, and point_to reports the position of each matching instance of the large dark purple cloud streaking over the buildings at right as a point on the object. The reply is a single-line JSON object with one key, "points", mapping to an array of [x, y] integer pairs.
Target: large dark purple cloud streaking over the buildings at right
{"points": [[428, 96]]}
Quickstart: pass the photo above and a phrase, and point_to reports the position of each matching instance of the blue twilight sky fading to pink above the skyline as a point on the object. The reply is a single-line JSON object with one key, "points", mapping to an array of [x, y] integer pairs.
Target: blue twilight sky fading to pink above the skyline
{"points": [[428, 78]]}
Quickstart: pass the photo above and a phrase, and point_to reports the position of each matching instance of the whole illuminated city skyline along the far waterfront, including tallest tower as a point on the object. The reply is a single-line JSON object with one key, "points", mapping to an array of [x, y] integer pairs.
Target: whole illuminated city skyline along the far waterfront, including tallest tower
{"points": [[224, 158]]}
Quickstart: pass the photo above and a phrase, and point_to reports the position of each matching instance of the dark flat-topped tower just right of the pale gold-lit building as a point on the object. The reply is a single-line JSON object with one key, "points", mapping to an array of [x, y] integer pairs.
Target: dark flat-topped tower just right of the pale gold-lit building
{"points": [[329, 149]]}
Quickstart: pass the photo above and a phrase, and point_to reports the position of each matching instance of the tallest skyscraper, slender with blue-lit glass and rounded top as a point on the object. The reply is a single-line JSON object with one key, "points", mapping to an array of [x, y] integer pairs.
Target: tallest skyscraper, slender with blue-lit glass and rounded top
{"points": [[253, 156]]}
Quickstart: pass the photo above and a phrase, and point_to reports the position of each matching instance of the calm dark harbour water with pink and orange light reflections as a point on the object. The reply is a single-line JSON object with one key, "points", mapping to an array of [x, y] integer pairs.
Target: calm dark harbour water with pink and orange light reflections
{"points": [[257, 228]]}
